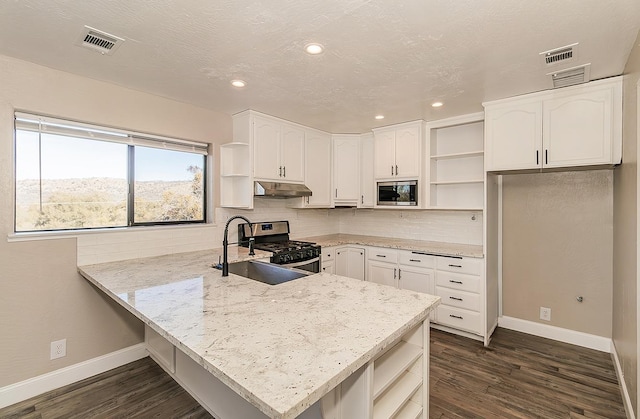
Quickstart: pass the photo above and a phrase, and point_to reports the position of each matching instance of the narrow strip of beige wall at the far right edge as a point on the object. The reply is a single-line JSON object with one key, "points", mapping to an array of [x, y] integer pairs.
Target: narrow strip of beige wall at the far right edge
{"points": [[625, 233]]}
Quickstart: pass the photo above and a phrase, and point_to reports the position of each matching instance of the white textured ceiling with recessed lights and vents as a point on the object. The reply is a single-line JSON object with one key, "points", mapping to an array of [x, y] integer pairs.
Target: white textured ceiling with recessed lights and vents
{"points": [[382, 56]]}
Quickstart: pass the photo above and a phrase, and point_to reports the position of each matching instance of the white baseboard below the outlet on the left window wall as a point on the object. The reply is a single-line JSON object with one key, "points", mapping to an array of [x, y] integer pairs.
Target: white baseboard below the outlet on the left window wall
{"points": [[15, 393]]}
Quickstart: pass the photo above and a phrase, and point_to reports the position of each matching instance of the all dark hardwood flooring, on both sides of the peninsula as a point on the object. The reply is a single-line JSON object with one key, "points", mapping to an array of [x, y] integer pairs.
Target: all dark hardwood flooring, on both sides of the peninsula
{"points": [[517, 376]]}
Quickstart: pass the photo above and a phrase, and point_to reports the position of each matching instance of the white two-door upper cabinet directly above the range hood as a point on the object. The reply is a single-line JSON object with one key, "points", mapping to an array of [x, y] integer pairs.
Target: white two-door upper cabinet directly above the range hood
{"points": [[278, 150]]}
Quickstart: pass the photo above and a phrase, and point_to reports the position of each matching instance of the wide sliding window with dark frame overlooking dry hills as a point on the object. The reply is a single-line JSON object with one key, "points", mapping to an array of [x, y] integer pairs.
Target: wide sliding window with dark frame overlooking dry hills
{"points": [[77, 176]]}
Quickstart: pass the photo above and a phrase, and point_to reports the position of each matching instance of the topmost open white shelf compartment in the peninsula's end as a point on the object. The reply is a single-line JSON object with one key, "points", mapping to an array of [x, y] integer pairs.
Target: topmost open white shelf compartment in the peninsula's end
{"points": [[393, 364]]}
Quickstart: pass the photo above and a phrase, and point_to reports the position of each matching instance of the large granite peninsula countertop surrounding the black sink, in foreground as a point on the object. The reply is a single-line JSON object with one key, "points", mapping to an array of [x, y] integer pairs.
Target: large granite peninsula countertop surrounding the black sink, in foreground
{"points": [[280, 347]]}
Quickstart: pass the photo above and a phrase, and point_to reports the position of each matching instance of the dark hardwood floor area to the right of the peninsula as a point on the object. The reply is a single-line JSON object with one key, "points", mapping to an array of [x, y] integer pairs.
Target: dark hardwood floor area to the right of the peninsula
{"points": [[520, 376]]}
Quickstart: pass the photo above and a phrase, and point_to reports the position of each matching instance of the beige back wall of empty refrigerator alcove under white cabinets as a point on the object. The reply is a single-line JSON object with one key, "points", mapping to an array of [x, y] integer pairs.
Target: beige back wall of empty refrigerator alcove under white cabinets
{"points": [[557, 245]]}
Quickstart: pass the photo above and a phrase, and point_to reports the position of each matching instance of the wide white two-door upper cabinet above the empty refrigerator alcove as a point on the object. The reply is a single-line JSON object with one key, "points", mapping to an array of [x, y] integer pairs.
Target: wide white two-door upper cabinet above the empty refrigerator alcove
{"points": [[571, 127]]}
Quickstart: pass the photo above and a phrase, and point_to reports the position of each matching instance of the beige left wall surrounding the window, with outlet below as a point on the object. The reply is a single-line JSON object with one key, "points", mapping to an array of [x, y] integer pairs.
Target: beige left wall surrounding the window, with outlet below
{"points": [[42, 298]]}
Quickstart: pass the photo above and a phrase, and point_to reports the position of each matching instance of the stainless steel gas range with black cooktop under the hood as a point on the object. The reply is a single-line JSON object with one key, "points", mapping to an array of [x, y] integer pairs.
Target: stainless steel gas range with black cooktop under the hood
{"points": [[274, 237]]}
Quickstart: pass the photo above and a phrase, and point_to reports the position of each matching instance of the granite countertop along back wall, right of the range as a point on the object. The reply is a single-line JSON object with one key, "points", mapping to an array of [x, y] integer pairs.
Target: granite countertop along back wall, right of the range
{"points": [[437, 248]]}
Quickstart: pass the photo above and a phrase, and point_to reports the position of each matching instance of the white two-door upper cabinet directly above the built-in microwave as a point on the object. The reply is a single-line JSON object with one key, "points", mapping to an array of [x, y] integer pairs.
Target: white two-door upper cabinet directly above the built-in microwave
{"points": [[397, 151]]}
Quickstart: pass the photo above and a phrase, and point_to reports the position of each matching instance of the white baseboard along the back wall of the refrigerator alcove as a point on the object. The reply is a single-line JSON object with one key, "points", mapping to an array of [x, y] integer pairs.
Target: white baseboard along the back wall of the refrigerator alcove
{"points": [[586, 340]]}
